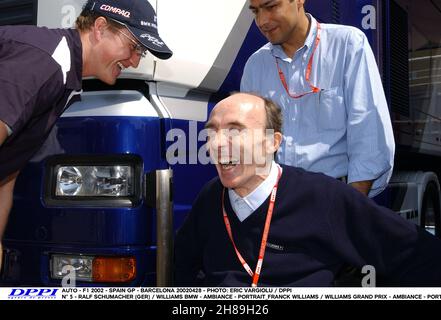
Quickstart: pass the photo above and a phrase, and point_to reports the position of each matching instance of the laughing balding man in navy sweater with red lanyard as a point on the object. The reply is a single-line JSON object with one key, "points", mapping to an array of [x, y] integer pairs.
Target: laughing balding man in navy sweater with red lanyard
{"points": [[264, 224]]}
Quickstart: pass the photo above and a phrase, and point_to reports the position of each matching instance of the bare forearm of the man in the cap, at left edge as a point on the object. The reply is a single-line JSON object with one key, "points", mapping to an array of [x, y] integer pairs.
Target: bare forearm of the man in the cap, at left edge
{"points": [[6, 193]]}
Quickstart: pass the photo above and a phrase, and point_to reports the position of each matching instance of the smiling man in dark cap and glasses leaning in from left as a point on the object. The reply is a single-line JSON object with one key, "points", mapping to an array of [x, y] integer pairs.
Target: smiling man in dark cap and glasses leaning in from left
{"points": [[41, 71]]}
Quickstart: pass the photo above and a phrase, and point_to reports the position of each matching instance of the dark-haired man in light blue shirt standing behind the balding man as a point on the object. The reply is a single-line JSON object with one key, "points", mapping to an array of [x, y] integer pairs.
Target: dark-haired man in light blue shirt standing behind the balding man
{"points": [[326, 80]]}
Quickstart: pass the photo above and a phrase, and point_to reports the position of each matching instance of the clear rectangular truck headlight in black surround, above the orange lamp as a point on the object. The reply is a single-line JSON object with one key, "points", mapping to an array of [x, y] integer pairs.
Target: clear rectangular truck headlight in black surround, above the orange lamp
{"points": [[93, 181]]}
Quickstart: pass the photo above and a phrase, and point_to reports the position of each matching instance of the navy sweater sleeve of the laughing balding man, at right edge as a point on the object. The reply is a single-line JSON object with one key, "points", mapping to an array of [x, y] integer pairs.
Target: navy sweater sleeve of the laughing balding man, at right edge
{"points": [[367, 234]]}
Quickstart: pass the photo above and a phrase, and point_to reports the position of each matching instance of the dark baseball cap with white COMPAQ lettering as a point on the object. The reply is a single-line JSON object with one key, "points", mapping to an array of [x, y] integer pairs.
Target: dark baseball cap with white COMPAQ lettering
{"points": [[139, 17]]}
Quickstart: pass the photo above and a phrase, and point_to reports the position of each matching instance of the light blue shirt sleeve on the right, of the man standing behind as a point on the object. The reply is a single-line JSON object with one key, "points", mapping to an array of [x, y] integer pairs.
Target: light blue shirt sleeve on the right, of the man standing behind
{"points": [[370, 139]]}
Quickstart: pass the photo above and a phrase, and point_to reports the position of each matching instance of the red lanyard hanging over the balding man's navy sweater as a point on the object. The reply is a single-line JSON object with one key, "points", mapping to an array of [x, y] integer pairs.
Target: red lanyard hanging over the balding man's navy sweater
{"points": [[256, 274]]}
